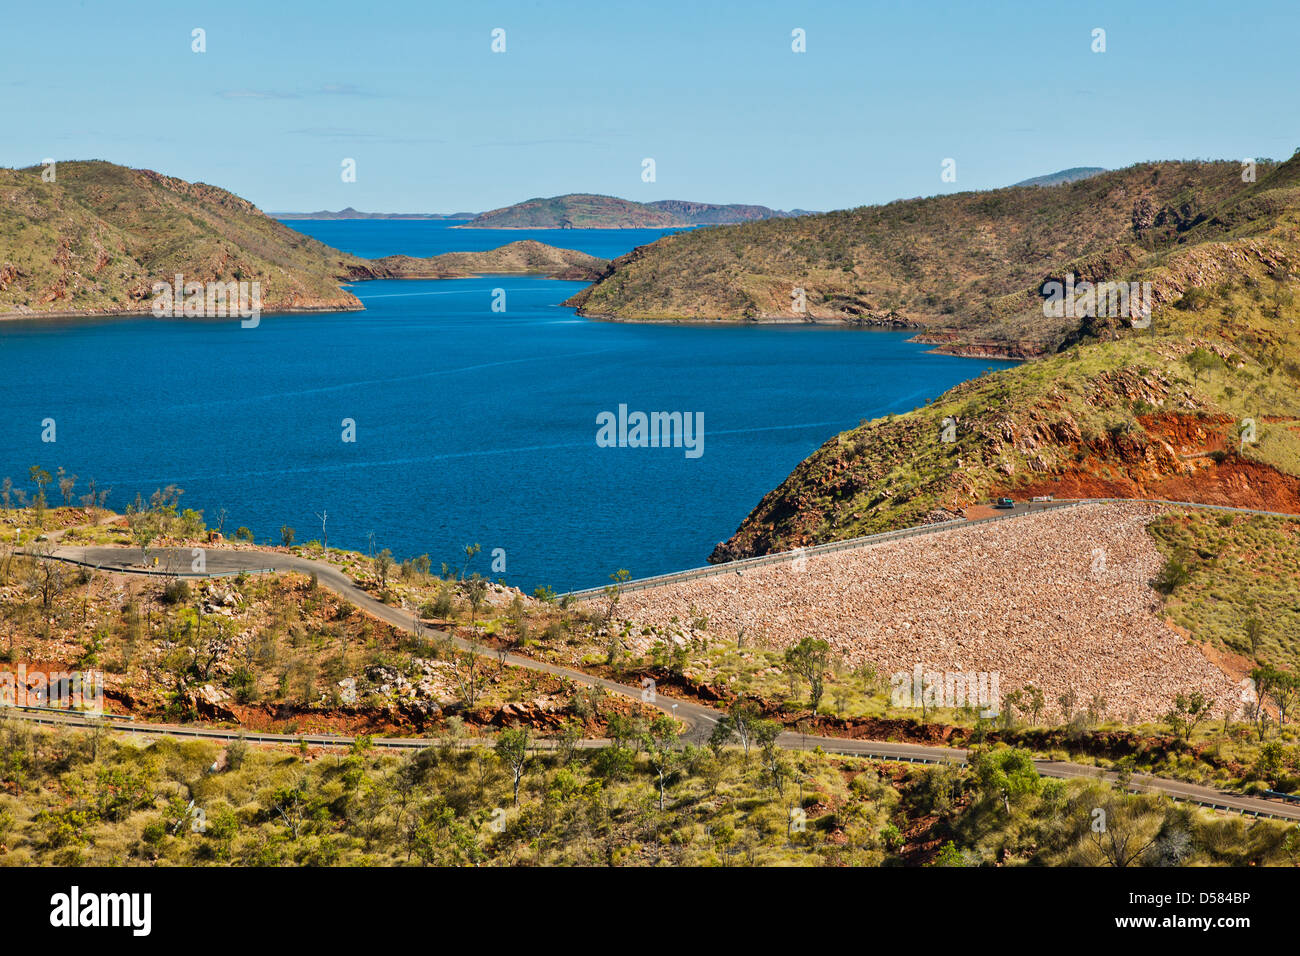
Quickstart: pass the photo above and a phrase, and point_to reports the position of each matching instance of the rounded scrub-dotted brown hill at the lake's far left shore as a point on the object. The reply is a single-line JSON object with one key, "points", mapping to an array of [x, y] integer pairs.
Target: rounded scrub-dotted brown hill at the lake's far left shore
{"points": [[97, 239]]}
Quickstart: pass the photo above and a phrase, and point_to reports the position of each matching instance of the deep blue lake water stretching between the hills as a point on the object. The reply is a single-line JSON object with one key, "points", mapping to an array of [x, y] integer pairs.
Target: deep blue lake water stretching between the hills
{"points": [[471, 426]]}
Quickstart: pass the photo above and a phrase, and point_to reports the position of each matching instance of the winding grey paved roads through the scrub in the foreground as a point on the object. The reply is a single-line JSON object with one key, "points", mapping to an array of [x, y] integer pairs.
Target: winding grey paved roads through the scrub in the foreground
{"points": [[697, 719]]}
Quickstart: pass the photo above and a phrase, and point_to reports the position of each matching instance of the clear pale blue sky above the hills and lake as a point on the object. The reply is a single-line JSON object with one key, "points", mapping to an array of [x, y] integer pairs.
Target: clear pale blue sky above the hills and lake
{"points": [[712, 90]]}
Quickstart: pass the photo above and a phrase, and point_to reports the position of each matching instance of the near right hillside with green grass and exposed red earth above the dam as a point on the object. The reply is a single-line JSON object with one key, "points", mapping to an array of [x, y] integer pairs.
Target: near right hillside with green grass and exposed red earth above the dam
{"points": [[1204, 405]]}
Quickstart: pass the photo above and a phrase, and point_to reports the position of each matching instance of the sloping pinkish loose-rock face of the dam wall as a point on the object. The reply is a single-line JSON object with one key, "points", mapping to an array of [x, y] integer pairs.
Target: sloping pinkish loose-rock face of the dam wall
{"points": [[1061, 600]]}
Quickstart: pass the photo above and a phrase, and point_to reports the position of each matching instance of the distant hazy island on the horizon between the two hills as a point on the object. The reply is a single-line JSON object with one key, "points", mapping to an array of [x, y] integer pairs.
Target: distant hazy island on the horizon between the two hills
{"points": [[590, 211]]}
